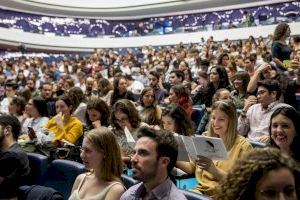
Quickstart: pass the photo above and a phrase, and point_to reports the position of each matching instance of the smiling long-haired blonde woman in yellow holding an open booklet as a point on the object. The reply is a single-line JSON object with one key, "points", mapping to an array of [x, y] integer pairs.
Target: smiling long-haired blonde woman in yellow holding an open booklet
{"points": [[223, 124]]}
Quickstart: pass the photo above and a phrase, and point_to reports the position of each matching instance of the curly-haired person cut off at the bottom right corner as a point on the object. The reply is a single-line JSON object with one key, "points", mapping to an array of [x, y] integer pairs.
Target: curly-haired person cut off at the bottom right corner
{"points": [[262, 174]]}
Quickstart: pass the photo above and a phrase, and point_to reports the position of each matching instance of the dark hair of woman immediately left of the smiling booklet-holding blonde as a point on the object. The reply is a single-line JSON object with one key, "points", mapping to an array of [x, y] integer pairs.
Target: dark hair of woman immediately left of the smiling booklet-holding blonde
{"points": [[183, 123]]}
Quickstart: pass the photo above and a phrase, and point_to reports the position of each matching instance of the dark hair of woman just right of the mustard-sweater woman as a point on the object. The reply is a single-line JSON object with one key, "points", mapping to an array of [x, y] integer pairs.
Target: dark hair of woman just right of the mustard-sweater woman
{"points": [[102, 108]]}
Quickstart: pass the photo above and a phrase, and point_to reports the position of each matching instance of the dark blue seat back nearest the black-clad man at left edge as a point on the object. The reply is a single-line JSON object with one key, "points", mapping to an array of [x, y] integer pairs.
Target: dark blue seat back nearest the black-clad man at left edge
{"points": [[38, 165]]}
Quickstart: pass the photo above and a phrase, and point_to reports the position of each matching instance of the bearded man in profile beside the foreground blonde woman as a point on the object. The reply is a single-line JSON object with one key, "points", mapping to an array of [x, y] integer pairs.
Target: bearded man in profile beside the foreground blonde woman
{"points": [[155, 155]]}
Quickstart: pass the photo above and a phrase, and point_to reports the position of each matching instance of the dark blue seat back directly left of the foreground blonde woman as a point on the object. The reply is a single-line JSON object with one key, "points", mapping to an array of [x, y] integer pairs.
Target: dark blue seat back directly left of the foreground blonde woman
{"points": [[61, 175]]}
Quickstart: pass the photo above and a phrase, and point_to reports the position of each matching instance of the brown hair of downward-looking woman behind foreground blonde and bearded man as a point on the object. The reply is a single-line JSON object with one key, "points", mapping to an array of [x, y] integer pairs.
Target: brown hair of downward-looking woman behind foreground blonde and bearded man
{"points": [[127, 107]]}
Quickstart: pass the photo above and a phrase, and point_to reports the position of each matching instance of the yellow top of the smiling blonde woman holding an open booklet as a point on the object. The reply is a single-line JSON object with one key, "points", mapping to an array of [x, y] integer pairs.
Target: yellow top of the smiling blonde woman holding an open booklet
{"points": [[207, 183]]}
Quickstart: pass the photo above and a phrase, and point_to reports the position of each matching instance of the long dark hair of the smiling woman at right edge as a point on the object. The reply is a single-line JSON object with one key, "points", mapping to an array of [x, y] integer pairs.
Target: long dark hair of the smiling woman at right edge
{"points": [[294, 116]]}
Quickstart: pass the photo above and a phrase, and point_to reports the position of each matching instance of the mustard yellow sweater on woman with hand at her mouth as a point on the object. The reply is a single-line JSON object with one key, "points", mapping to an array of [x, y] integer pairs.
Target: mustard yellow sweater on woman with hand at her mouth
{"points": [[71, 131]]}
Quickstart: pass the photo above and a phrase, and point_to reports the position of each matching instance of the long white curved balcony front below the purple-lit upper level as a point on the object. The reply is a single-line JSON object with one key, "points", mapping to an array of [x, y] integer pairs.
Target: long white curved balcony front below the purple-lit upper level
{"points": [[13, 37]]}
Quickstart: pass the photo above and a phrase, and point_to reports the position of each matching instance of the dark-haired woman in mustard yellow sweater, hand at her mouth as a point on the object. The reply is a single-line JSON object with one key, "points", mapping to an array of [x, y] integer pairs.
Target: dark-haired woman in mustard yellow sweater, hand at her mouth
{"points": [[64, 126]]}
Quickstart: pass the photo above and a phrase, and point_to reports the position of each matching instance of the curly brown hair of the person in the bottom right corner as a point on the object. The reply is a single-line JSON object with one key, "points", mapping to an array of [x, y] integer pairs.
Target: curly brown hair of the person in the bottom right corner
{"points": [[241, 181]]}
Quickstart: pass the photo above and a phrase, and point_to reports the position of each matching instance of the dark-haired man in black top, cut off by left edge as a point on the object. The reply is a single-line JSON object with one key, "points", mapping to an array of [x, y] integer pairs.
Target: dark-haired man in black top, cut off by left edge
{"points": [[14, 164]]}
